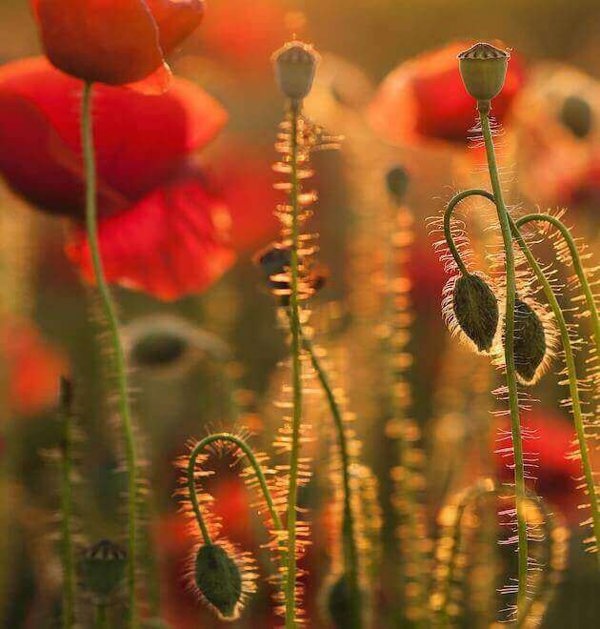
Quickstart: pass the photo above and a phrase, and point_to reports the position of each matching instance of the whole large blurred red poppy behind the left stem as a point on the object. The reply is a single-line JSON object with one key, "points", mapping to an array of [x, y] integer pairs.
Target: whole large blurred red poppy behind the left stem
{"points": [[161, 228]]}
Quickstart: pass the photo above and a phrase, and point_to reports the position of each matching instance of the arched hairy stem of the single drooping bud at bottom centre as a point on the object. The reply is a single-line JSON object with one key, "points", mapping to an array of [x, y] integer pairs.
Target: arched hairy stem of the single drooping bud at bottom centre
{"points": [[243, 446]]}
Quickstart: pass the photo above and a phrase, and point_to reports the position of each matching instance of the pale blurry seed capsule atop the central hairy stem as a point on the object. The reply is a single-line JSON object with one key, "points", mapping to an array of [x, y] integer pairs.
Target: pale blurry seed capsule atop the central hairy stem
{"points": [[295, 66]]}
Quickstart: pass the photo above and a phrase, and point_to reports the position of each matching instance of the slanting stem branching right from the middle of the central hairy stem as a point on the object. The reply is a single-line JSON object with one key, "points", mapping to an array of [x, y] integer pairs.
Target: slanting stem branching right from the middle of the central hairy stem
{"points": [[348, 533]]}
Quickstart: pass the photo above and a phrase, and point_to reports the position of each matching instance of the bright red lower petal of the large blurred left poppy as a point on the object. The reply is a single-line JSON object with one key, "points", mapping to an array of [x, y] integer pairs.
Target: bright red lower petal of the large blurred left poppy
{"points": [[173, 243]]}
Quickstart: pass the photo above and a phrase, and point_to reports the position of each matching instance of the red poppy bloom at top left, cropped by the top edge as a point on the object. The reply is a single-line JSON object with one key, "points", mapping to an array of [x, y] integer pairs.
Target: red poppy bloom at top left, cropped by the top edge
{"points": [[116, 41]]}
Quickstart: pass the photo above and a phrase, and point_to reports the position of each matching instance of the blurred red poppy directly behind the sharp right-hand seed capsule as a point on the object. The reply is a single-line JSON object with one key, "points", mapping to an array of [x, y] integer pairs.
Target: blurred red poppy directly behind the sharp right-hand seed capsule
{"points": [[424, 99]]}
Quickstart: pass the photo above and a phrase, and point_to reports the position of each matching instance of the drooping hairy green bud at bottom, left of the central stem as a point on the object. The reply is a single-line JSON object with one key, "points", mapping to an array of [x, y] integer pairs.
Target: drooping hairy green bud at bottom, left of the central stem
{"points": [[219, 580]]}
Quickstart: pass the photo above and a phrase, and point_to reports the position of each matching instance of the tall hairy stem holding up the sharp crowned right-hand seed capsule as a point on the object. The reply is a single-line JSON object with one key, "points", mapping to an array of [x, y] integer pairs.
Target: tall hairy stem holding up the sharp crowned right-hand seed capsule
{"points": [[511, 376]]}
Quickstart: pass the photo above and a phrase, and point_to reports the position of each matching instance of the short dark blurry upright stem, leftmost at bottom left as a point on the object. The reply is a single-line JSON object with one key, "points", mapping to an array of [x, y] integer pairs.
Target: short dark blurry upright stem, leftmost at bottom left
{"points": [[67, 556]]}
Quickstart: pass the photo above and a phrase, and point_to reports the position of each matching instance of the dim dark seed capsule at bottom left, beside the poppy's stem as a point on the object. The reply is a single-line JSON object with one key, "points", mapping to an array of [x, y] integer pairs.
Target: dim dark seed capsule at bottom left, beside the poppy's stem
{"points": [[103, 568]]}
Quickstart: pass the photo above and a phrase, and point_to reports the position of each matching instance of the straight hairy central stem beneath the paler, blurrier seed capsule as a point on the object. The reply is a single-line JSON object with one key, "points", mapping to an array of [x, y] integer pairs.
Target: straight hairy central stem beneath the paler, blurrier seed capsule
{"points": [[290, 581]]}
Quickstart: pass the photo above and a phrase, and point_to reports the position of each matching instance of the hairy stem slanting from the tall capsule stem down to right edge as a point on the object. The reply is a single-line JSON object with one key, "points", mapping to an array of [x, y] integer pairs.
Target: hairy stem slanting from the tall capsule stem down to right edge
{"points": [[573, 381]]}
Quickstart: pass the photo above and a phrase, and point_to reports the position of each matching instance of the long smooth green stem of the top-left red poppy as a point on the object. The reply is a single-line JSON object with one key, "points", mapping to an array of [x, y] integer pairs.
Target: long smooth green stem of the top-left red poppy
{"points": [[119, 365]]}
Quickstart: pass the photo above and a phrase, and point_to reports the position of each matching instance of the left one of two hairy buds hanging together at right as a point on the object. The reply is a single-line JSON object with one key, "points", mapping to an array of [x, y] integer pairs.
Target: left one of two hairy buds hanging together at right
{"points": [[476, 310]]}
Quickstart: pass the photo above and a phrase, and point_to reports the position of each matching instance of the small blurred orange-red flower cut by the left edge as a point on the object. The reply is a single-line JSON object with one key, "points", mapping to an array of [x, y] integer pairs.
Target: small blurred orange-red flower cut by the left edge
{"points": [[33, 368]]}
